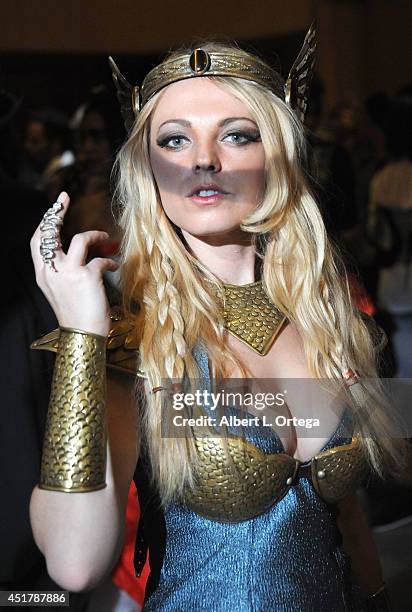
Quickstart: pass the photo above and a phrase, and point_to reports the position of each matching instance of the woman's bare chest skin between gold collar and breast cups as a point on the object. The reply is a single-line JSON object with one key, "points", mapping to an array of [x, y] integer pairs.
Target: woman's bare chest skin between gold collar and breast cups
{"points": [[283, 373]]}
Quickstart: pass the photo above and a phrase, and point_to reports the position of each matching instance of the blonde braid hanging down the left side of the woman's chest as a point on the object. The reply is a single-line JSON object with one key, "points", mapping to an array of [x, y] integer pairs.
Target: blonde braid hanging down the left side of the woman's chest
{"points": [[164, 349]]}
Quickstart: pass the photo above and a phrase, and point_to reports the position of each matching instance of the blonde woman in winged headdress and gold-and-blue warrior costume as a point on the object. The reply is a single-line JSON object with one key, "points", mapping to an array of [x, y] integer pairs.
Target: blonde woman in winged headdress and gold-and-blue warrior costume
{"points": [[213, 197]]}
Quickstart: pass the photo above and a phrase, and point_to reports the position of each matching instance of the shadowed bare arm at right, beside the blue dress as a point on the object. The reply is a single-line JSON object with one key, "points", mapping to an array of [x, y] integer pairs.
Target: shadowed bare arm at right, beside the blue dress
{"points": [[358, 543]]}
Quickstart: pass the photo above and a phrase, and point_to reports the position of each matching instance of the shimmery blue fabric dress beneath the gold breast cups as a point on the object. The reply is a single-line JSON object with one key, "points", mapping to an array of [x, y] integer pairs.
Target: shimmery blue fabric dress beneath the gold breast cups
{"points": [[288, 559]]}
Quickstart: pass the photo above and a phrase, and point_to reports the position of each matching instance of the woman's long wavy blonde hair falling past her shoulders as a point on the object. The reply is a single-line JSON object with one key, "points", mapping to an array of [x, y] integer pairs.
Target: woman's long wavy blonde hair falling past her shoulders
{"points": [[301, 274]]}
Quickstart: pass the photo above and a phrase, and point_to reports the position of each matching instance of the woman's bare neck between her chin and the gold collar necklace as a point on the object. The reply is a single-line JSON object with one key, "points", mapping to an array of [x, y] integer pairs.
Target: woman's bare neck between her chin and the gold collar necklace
{"points": [[230, 258]]}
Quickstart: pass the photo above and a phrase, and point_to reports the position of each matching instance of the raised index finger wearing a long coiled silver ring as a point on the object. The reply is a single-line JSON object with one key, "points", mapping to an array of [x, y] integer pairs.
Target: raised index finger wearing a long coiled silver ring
{"points": [[47, 232]]}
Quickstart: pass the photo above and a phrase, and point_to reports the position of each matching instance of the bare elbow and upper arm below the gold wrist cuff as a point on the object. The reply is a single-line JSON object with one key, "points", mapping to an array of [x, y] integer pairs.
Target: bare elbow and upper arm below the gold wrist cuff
{"points": [[81, 534]]}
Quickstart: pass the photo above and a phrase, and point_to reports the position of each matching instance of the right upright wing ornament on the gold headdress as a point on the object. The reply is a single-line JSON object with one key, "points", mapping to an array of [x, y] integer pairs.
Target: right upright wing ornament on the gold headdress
{"points": [[300, 76]]}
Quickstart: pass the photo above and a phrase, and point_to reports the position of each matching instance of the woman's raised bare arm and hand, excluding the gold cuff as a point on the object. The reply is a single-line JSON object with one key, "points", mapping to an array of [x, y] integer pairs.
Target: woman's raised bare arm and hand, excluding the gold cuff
{"points": [[81, 534]]}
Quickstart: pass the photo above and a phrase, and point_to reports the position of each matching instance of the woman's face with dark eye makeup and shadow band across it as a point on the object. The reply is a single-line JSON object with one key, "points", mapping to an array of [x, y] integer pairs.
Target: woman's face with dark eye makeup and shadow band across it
{"points": [[207, 158]]}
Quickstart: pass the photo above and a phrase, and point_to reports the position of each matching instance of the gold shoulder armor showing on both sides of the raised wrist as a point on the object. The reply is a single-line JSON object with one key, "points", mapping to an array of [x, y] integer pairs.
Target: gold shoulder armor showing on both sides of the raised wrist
{"points": [[121, 348]]}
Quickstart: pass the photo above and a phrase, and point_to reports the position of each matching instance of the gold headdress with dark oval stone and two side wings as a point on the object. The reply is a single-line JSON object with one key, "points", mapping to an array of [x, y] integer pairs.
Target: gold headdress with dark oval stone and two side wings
{"points": [[200, 62]]}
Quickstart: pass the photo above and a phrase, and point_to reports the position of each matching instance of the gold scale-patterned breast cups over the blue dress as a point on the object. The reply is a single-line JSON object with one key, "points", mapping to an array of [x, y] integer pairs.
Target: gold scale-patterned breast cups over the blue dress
{"points": [[236, 481]]}
